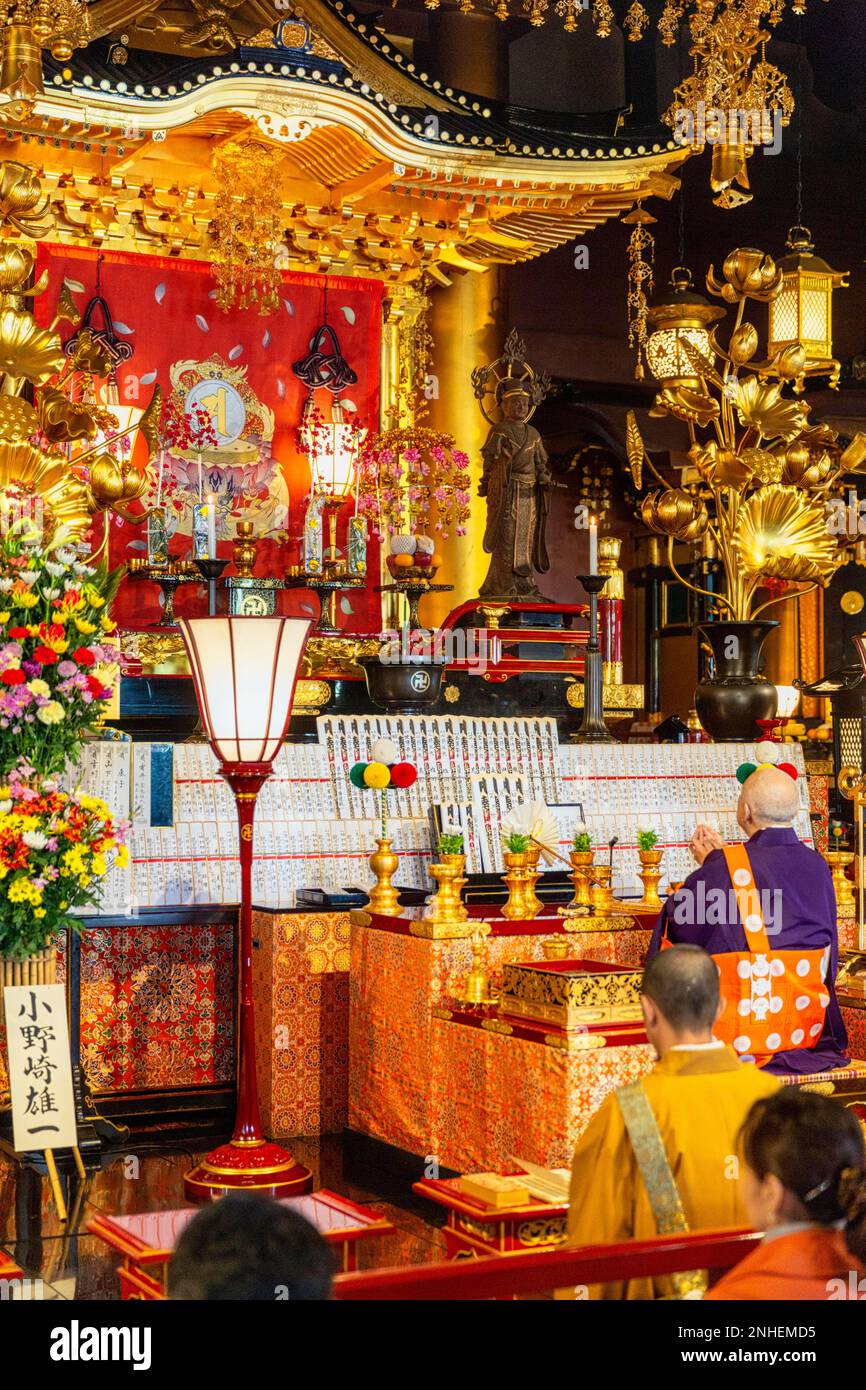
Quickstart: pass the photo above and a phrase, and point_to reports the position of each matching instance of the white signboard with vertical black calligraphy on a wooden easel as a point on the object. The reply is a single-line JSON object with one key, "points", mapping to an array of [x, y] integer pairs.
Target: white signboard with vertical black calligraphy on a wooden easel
{"points": [[40, 1070]]}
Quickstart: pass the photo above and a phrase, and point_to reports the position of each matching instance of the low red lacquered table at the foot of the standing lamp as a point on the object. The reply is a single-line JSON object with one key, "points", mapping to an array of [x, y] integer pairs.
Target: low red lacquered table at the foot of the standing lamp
{"points": [[147, 1242]]}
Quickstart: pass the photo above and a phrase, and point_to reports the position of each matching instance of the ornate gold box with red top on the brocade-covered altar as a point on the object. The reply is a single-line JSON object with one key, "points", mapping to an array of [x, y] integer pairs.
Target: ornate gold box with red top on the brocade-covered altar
{"points": [[571, 995]]}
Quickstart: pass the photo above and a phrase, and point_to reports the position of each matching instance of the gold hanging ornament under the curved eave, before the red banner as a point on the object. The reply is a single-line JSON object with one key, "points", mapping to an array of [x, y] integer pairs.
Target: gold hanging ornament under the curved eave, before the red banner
{"points": [[248, 227]]}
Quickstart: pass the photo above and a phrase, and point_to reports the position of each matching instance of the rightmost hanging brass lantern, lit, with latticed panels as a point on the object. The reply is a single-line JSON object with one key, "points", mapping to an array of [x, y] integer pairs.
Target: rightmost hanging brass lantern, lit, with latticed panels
{"points": [[803, 312]]}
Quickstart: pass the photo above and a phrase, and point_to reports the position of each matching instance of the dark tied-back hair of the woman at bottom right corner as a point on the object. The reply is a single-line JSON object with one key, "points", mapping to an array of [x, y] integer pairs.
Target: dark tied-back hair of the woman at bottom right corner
{"points": [[815, 1147]]}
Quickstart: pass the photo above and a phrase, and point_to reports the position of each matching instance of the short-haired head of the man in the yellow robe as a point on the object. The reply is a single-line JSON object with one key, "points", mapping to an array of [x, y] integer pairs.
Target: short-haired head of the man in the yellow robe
{"points": [[680, 997]]}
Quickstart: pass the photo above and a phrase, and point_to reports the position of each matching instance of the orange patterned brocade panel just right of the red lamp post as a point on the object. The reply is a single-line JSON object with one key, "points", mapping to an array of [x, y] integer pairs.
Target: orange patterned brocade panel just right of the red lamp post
{"points": [[301, 989]]}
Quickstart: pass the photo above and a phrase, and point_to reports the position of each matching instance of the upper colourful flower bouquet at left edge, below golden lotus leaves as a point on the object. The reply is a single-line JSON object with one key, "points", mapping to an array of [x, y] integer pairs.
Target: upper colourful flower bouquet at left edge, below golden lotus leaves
{"points": [[54, 626]]}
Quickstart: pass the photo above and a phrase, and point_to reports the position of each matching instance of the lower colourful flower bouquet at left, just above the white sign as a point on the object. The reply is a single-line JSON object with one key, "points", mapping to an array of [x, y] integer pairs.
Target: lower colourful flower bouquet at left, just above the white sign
{"points": [[55, 850]]}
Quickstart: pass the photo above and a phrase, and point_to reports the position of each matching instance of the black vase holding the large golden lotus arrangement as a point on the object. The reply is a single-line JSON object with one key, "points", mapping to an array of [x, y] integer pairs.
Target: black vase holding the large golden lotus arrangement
{"points": [[730, 704]]}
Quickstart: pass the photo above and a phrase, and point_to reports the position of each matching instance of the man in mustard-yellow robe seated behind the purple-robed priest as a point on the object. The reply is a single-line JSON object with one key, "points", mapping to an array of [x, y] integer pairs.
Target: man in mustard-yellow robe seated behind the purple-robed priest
{"points": [[698, 1093]]}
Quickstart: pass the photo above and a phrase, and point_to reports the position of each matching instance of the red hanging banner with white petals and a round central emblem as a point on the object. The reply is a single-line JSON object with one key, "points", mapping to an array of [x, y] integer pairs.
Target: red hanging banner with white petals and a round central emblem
{"points": [[238, 368]]}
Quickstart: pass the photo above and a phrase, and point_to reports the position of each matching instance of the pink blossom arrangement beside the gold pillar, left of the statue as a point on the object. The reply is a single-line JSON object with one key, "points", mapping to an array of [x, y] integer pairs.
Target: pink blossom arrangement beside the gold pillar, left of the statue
{"points": [[415, 480]]}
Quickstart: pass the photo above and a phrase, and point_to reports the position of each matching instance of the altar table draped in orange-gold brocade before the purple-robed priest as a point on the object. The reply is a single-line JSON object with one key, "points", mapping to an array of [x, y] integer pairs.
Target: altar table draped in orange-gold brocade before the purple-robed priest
{"points": [[459, 1085]]}
